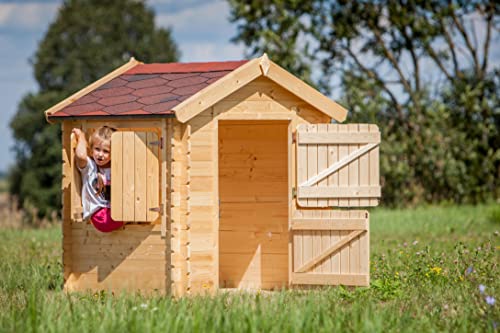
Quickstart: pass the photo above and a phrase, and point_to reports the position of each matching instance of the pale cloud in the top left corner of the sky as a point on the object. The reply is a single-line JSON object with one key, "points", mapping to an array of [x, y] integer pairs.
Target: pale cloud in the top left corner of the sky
{"points": [[27, 16]]}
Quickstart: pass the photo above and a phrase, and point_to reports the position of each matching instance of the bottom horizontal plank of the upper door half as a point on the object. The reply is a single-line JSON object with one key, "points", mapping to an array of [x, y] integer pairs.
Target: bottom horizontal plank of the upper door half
{"points": [[339, 192]]}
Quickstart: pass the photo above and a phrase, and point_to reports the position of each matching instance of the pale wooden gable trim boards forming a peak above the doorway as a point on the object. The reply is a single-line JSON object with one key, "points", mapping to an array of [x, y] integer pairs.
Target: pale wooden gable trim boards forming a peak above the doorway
{"points": [[245, 74]]}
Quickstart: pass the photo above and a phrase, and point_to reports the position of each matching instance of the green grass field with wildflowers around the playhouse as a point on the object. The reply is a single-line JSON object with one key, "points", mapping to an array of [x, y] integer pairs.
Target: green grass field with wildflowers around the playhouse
{"points": [[426, 268]]}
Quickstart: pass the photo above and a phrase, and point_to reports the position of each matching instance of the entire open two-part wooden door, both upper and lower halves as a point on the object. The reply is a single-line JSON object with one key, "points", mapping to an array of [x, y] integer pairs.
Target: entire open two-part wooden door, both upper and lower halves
{"points": [[337, 166]]}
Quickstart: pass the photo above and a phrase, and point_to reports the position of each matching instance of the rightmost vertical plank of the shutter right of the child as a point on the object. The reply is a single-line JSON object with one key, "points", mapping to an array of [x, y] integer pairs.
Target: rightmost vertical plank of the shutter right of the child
{"points": [[152, 179]]}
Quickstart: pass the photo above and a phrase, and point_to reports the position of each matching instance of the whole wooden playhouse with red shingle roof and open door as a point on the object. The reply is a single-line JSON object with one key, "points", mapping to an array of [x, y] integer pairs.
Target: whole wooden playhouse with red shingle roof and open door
{"points": [[228, 174]]}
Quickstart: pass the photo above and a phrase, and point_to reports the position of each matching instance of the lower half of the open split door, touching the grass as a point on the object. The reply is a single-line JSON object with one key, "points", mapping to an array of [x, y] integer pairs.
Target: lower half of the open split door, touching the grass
{"points": [[331, 250]]}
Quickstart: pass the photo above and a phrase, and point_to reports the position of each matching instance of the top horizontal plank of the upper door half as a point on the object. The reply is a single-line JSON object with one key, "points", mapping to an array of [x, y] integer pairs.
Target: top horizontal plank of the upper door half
{"points": [[332, 138]]}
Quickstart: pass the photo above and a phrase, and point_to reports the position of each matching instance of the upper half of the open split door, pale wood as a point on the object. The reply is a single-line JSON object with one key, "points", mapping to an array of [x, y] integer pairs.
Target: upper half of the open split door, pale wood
{"points": [[338, 165]]}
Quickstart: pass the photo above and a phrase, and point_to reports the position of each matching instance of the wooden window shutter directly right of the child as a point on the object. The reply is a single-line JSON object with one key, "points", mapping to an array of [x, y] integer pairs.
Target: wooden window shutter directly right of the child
{"points": [[135, 176]]}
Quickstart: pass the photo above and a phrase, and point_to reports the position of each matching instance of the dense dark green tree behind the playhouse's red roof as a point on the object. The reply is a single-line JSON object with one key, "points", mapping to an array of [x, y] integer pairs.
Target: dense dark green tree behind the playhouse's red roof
{"points": [[88, 39]]}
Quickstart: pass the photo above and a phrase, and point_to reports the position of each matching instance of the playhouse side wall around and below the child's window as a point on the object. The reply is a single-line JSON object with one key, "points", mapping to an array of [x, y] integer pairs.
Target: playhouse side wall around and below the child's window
{"points": [[133, 258]]}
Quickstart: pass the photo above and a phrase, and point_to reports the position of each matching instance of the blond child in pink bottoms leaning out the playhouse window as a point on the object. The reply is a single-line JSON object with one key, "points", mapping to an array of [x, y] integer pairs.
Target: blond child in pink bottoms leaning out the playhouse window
{"points": [[96, 177]]}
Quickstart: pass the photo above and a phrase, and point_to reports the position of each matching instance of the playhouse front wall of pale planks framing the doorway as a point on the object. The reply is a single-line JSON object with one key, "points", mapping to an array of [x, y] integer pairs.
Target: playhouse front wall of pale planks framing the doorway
{"points": [[261, 99]]}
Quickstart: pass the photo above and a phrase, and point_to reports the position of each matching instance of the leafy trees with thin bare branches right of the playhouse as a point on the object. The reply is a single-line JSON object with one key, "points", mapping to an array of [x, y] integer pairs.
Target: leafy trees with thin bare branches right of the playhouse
{"points": [[420, 69]]}
